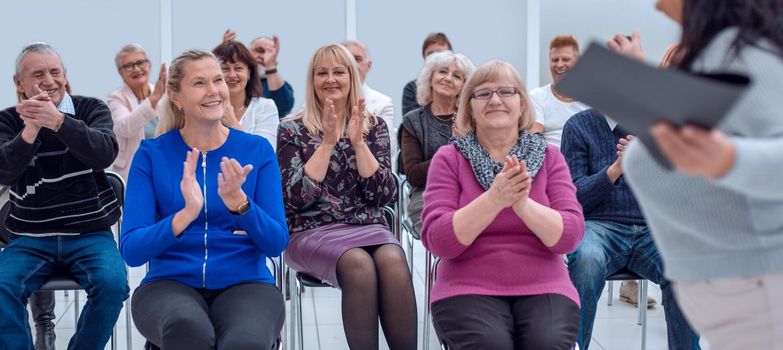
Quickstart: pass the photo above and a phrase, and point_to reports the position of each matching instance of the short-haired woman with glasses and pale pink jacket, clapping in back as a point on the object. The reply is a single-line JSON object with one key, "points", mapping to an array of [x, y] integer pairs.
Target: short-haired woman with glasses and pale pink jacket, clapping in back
{"points": [[133, 105]]}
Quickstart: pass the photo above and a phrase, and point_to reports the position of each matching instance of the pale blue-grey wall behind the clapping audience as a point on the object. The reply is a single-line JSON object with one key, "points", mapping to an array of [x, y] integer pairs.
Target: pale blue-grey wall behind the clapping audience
{"points": [[89, 32]]}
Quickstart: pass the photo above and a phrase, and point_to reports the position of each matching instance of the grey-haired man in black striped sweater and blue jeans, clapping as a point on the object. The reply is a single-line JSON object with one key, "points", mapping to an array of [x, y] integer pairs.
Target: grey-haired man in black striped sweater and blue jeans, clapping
{"points": [[53, 149]]}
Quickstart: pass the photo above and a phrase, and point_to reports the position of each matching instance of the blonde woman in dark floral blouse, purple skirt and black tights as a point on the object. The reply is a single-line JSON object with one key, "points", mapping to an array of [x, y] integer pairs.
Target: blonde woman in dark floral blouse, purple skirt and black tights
{"points": [[336, 170]]}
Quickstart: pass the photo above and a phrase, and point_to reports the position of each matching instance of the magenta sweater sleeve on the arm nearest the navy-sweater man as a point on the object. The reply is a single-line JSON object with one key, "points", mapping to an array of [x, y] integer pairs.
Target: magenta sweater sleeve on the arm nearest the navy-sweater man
{"points": [[562, 197]]}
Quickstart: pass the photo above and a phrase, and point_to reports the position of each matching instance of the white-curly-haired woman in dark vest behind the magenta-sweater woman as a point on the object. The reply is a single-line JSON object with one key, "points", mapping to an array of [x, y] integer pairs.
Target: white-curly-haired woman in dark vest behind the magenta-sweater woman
{"points": [[426, 128]]}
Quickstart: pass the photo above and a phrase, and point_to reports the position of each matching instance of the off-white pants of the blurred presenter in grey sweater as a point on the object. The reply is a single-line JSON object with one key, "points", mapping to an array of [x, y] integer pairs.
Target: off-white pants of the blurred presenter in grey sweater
{"points": [[736, 313]]}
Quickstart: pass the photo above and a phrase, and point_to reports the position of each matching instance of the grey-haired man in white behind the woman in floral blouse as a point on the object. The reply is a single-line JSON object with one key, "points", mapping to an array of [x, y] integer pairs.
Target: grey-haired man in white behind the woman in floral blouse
{"points": [[375, 102]]}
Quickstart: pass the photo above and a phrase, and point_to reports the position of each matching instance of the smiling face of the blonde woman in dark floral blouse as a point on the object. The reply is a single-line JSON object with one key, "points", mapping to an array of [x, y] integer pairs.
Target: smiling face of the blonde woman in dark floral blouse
{"points": [[331, 80]]}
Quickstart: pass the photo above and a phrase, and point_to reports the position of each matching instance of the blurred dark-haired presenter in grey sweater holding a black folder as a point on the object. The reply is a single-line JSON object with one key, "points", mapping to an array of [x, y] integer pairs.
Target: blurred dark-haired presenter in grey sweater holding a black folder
{"points": [[717, 218]]}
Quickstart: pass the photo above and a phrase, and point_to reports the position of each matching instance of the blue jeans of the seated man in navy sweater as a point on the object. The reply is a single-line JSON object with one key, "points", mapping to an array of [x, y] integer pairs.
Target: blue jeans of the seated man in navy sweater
{"points": [[606, 248]]}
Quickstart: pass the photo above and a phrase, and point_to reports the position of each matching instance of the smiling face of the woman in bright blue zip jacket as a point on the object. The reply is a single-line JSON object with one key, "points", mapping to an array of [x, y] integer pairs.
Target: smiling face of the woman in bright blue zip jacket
{"points": [[203, 92]]}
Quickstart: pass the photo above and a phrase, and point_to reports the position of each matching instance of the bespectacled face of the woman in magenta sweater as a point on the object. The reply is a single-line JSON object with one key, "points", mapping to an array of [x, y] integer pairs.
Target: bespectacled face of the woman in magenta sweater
{"points": [[496, 113]]}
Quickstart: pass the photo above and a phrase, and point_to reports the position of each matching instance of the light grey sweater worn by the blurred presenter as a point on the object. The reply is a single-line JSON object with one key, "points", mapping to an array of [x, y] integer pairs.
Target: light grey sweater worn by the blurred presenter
{"points": [[733, 226]]}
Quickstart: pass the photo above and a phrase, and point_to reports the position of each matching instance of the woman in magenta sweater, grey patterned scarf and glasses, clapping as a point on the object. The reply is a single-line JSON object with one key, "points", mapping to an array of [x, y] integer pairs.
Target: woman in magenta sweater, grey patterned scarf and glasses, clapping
{"points": [[500, 211]]}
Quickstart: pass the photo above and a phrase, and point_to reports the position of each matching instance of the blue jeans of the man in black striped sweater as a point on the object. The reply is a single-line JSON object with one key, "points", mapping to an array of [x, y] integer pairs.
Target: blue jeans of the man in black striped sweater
{"points": [[92, 259]]}
